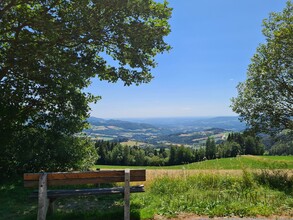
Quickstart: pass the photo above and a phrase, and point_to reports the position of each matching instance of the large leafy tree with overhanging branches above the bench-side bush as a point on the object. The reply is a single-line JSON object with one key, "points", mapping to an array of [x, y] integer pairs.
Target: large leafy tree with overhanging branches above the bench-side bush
{"points": [[50, 51]]}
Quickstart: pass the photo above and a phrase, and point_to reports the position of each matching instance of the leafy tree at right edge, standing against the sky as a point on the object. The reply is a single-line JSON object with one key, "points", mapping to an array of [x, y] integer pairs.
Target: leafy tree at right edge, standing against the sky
{"points": [[265, 99]]}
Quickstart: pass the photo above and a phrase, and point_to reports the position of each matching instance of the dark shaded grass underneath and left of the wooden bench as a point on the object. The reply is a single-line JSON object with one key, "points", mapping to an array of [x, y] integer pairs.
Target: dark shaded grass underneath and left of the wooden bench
{"points": [[16, 205]]}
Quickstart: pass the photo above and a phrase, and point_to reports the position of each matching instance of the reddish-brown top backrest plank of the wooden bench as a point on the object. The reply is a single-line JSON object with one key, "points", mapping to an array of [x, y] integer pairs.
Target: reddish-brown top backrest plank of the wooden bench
{"points": [[79, 178]]}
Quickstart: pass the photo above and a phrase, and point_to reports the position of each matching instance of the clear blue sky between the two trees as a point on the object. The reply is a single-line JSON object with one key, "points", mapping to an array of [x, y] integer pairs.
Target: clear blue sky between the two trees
{"points": [[213, 42]]}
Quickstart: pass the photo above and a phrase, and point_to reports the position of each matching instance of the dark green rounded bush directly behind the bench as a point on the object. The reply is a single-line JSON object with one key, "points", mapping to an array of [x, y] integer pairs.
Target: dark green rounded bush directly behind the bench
{"points": [[37, 150]]}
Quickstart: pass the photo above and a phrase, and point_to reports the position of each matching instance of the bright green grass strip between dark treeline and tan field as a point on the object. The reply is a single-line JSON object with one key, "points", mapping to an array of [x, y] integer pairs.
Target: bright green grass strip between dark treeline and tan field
{"points": [[237, 163]]}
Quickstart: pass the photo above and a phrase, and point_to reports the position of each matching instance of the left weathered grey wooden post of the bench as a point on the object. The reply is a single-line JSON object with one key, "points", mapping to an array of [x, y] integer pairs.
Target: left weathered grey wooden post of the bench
{"points": [[43, 199]]}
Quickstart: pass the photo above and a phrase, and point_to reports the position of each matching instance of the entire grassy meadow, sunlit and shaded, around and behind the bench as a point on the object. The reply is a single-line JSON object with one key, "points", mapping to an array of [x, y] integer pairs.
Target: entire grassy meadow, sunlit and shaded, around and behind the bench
{"points": [[257, 186]]}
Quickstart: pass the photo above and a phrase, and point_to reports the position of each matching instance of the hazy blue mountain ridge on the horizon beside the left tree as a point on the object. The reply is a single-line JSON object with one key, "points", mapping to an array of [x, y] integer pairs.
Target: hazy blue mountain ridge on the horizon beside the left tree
{"points": [[126, 125]]}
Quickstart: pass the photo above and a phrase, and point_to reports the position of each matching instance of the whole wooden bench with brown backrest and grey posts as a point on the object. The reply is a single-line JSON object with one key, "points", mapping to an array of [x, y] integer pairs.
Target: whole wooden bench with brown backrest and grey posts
{"points": [[47, 197]]}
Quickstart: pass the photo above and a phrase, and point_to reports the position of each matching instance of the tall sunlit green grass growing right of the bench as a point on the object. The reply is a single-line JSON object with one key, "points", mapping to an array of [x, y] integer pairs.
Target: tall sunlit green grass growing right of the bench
{"points": [[213, 195]]}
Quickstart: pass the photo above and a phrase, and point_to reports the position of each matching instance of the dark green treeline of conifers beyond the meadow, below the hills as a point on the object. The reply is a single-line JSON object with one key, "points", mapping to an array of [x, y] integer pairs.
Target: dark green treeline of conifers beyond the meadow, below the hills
{"points": [[111, 153]]}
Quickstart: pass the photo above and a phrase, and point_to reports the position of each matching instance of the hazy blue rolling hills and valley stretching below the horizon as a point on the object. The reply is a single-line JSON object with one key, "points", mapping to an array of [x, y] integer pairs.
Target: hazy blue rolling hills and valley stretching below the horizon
{"points": [[178, 131]]}
